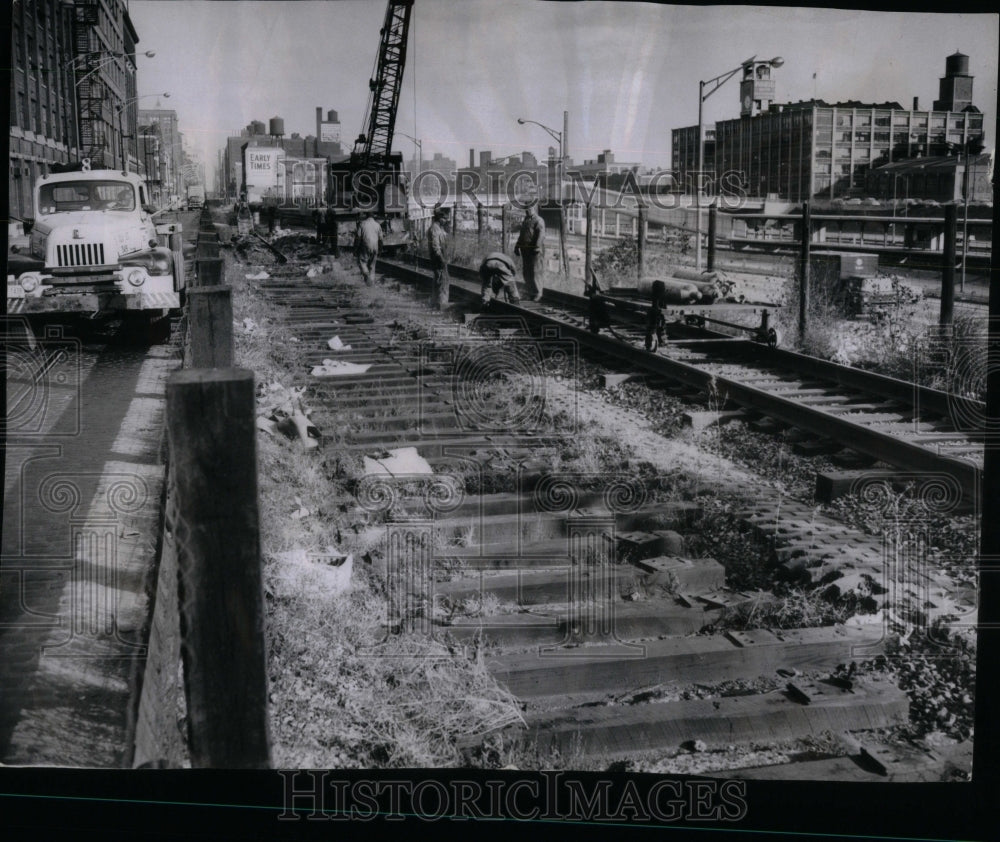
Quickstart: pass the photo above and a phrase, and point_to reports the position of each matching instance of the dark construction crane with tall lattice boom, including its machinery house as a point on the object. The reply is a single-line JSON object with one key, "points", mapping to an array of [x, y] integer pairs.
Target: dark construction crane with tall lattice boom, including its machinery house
{"points": [[371, 176]]}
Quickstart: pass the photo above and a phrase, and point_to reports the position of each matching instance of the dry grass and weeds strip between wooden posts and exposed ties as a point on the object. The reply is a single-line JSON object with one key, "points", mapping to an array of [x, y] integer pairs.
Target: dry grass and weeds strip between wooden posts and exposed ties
{"points": [[345, 691]]}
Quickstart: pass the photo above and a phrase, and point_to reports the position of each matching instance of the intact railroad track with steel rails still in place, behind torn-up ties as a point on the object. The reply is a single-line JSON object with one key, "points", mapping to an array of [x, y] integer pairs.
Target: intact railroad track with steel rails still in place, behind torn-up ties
{"points": [[913, 428]]}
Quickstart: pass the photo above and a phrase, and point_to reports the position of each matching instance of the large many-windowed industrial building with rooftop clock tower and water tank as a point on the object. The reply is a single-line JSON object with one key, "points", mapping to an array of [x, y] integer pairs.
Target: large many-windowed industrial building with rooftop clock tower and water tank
{"points": [[810, 149]]}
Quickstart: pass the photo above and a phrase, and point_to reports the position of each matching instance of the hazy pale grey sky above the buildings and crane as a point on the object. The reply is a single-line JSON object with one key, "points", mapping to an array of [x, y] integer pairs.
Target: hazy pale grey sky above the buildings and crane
{"points": [[626, 73]]}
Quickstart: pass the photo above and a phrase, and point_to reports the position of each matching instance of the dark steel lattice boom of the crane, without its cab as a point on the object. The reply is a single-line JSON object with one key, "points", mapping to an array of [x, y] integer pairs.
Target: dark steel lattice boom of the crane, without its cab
{"points": [[372, 149]]}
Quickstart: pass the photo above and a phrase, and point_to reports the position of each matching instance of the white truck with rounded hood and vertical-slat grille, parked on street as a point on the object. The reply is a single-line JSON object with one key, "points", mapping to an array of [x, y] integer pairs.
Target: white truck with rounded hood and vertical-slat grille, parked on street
{"points": [[94, 247]]}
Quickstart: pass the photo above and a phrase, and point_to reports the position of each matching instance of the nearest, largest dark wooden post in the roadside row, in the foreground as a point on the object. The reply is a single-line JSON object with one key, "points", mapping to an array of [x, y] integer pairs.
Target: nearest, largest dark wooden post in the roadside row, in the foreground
{"points": [[212, 435]]}
